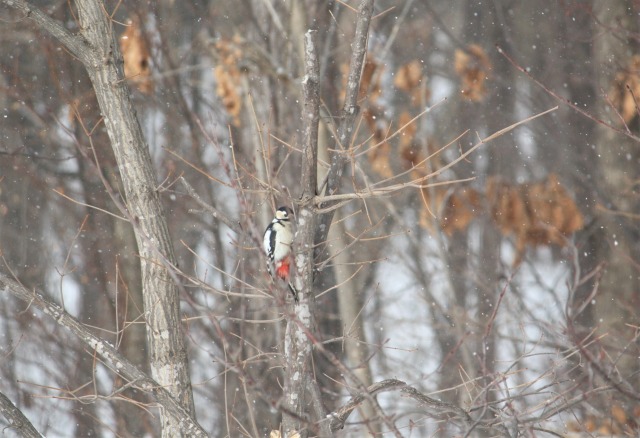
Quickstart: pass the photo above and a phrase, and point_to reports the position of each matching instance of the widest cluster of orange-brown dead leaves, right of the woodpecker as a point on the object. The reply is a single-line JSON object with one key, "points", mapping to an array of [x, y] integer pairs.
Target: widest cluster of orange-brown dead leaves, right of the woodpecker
{"points": [[534, 214]]}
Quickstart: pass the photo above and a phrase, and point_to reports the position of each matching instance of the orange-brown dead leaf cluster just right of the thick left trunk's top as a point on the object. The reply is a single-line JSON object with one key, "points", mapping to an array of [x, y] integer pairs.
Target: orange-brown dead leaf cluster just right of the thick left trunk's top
{"points": [[135, 51]]}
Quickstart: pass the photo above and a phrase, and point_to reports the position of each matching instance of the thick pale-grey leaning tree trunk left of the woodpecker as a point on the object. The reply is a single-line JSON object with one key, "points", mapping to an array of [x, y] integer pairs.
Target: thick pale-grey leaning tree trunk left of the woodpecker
{"points": [[167, 355]]}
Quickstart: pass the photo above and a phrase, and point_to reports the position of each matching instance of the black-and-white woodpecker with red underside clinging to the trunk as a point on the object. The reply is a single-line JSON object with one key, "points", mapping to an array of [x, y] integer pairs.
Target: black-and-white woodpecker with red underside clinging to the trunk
{"points": [[277, 241]]}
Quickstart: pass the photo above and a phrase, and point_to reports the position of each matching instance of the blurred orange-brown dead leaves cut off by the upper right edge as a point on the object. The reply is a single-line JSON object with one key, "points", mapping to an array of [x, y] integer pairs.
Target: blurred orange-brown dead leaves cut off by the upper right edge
{"points": [[625, 90]]}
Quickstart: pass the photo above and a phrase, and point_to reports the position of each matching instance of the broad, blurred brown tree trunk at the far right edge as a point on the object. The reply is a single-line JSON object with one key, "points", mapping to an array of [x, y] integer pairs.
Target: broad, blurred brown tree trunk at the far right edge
{"points": [[616, 306]]}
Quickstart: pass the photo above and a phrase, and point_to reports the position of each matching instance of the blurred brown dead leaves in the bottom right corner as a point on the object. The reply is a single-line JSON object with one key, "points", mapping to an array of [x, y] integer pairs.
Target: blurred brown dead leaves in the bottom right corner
{"points": [[620, 423]]}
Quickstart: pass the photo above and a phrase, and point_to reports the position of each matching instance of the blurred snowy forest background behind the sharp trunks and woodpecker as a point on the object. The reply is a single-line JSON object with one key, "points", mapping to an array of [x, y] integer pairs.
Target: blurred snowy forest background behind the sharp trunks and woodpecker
{"points": [[512, 293]]}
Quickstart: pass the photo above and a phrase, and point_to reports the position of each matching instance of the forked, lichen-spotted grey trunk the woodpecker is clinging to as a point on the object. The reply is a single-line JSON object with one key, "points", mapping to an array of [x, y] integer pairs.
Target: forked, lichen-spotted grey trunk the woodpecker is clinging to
{"points": [[312, 229]]}
